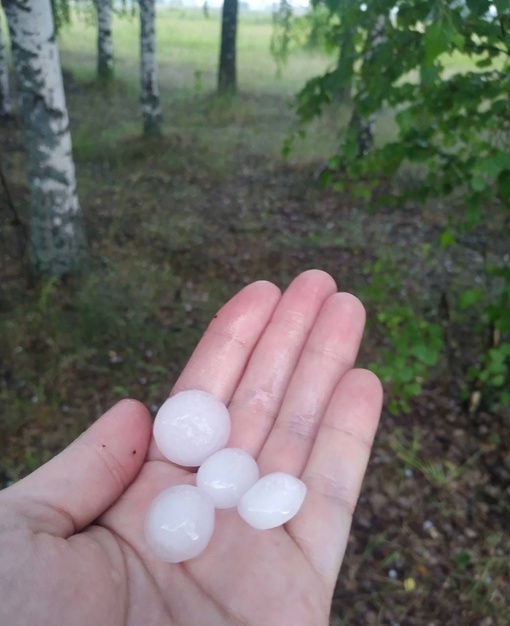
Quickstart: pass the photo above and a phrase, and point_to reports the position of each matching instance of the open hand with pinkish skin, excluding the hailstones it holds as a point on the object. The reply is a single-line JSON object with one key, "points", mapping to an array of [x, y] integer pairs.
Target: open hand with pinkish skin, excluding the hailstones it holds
{"points": [[71, 534]]}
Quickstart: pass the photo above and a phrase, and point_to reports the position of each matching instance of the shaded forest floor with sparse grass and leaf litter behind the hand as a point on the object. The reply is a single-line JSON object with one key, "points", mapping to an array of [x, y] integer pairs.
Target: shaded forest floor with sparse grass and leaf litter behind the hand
{"points": [[179, 225]]}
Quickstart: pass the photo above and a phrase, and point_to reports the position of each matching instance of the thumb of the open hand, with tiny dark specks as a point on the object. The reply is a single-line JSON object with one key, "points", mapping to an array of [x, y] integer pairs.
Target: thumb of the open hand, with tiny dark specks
{"points": [[74, 488]]}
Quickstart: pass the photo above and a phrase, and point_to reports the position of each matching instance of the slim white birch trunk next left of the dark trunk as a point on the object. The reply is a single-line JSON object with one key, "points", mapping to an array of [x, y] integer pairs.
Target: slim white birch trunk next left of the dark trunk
{"points": [[151, 109]]}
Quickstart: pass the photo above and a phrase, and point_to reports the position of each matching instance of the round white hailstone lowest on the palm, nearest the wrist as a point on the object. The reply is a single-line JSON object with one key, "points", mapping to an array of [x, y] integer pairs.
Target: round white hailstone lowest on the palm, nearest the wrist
{"points": [[180, 523]]}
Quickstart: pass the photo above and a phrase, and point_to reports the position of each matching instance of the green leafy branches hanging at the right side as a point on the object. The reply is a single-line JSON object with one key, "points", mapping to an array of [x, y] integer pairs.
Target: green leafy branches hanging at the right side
{"points": [[443, 69]]}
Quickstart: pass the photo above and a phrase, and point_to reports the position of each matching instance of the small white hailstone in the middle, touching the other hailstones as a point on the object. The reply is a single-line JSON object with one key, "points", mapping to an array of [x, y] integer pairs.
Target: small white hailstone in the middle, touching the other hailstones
{"points": [[227, 475]]}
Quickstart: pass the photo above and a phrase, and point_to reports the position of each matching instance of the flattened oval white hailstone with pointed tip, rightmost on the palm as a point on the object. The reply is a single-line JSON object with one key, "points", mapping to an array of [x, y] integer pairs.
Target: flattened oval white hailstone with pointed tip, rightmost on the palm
{"points": [[272, 501]]}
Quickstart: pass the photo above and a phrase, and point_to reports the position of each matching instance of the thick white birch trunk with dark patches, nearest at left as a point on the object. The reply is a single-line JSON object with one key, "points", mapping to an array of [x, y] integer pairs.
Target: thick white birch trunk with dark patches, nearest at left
{"points": [[57, 232]]}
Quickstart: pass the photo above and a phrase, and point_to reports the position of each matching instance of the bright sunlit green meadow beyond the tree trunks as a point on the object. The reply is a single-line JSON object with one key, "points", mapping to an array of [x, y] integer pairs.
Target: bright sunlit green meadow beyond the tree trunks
{"points": [[188, 44]]}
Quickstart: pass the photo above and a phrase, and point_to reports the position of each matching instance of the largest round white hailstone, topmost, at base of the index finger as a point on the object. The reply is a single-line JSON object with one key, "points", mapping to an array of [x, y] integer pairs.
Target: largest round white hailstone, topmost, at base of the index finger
{"points": [[190, 426]]}
